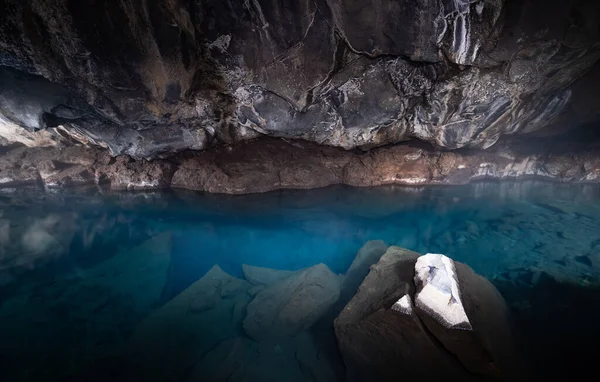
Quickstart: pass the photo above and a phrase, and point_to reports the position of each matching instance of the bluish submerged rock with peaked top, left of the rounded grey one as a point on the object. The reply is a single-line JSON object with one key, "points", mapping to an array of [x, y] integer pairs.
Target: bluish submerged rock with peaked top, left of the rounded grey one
{"points": [[182, 331]]}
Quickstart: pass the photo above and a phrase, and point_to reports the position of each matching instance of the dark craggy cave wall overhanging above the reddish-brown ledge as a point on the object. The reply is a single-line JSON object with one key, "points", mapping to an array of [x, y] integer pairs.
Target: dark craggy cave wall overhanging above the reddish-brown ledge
{"points": [[152, 78]]}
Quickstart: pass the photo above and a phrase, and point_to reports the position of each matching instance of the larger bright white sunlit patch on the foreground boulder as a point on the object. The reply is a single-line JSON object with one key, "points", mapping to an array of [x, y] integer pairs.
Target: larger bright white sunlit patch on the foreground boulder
{"points": [[438, 291]]}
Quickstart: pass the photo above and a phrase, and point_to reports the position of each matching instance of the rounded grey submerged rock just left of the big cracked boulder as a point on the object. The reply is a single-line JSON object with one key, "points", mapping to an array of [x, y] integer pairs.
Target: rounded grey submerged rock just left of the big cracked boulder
{"points": [[293, 304]]}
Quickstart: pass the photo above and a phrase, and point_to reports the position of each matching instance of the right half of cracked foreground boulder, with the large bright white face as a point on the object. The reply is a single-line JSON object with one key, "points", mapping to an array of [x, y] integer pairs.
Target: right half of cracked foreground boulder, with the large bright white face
{"points": [[467, 315]]}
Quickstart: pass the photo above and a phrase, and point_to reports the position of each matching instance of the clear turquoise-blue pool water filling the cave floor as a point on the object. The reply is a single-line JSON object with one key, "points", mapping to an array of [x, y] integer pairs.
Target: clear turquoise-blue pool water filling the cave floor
{"points": [[92, 283]]}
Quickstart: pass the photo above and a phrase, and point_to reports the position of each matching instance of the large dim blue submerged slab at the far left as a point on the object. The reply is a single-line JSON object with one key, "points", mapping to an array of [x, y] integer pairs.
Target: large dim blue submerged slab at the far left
{"points": [[90, 313]]}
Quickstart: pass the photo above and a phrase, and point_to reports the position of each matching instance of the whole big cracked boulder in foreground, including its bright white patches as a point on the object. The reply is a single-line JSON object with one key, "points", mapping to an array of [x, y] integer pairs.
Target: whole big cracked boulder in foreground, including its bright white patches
{"points": [[426, 317]]}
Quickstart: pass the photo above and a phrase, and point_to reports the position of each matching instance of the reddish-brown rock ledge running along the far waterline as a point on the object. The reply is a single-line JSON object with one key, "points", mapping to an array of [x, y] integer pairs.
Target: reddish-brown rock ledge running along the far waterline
{"points": [[267, 164]]}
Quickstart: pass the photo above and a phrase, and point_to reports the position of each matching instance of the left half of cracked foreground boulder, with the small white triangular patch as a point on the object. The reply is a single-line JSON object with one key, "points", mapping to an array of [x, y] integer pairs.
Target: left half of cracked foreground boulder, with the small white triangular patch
{"points": [[380, 338]]}
